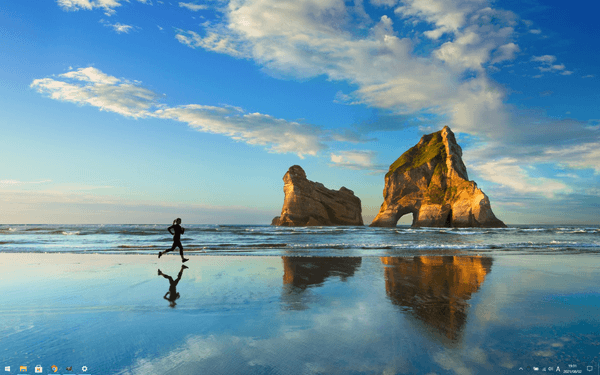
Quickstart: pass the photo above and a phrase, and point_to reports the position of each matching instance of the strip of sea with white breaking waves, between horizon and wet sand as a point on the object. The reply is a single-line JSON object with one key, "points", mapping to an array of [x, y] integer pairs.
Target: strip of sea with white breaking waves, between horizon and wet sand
{"points": [[301, 241]]}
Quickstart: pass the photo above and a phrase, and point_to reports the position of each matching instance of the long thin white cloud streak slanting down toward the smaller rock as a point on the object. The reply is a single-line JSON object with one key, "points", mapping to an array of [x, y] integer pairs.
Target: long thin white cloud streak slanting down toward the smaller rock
{"points": [[92, 87]]}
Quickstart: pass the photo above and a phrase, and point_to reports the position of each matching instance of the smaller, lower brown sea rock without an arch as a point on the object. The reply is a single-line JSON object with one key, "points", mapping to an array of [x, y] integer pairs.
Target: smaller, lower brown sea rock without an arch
{"points": [[310, 203]]}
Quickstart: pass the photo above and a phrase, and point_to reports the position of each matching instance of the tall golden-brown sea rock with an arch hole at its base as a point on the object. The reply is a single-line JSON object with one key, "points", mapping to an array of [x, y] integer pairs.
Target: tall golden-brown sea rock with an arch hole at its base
{"points": [[430, 181]]}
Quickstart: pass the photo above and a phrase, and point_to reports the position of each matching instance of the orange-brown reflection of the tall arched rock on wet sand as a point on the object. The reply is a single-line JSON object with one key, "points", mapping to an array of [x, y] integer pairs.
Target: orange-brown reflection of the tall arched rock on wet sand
{"points": [[436, 289]]}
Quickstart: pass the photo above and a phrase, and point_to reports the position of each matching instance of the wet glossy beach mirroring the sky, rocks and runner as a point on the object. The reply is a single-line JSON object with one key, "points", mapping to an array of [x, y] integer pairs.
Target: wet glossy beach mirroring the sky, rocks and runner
{"points": [[300, 315]]}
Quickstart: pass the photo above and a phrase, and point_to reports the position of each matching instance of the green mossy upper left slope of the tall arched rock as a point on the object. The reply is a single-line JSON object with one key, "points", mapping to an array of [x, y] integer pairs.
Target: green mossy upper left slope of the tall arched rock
{"points": [[418, 155]]}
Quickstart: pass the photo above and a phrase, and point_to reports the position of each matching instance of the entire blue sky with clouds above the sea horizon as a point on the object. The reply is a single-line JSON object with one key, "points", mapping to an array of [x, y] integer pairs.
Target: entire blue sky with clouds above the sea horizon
{"points": [[141, 111]]}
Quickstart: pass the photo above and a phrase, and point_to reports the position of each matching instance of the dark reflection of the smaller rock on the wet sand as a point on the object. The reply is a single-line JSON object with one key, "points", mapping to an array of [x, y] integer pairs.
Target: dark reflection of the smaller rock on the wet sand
{"points": [[300, 273]]}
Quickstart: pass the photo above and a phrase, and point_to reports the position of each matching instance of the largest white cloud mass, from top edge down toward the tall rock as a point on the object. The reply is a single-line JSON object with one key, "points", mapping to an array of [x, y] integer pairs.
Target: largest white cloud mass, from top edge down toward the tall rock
{"points": [[308, 39]]}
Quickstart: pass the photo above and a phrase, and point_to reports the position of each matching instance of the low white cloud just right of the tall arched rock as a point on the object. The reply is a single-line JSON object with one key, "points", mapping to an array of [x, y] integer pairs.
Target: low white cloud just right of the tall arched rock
{"points": [[508, 172]]}
